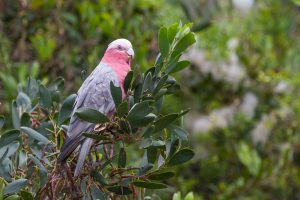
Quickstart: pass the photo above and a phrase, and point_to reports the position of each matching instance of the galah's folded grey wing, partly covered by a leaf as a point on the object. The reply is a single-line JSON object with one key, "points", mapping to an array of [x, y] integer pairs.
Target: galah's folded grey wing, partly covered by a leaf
{"points": [[94, 93]]}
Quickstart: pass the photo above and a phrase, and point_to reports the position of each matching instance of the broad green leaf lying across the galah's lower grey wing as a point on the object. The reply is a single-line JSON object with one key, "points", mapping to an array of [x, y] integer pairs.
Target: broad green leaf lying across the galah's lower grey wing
{"points": [[91, 115]]}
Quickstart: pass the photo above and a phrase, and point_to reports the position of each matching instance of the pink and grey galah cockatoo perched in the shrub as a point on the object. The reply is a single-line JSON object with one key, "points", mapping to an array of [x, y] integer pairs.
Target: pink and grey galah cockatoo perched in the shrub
{"points": [[95, 93]]}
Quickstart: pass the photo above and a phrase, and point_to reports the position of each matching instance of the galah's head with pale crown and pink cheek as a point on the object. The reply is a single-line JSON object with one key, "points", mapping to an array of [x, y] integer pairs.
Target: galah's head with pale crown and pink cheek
{"points": [[120, 49]]}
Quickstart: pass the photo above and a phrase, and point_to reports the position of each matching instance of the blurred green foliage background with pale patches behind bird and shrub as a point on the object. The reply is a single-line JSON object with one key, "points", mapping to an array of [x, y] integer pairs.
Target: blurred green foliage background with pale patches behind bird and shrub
{"points": [[242, 86]]}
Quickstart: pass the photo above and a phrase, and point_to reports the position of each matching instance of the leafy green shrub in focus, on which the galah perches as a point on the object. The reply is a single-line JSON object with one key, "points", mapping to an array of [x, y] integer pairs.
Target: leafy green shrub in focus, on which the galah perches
{"points": [[29, 151]]}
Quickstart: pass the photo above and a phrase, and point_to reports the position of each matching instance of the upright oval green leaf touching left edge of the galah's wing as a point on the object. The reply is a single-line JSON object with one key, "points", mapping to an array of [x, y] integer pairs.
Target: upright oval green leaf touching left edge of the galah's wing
{"points": [[66, 109]]}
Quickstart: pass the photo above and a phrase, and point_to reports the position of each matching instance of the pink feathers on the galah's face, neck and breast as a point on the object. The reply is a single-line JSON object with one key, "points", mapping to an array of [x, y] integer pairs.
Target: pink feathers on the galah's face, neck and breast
{"points": [[119, 62]]}
